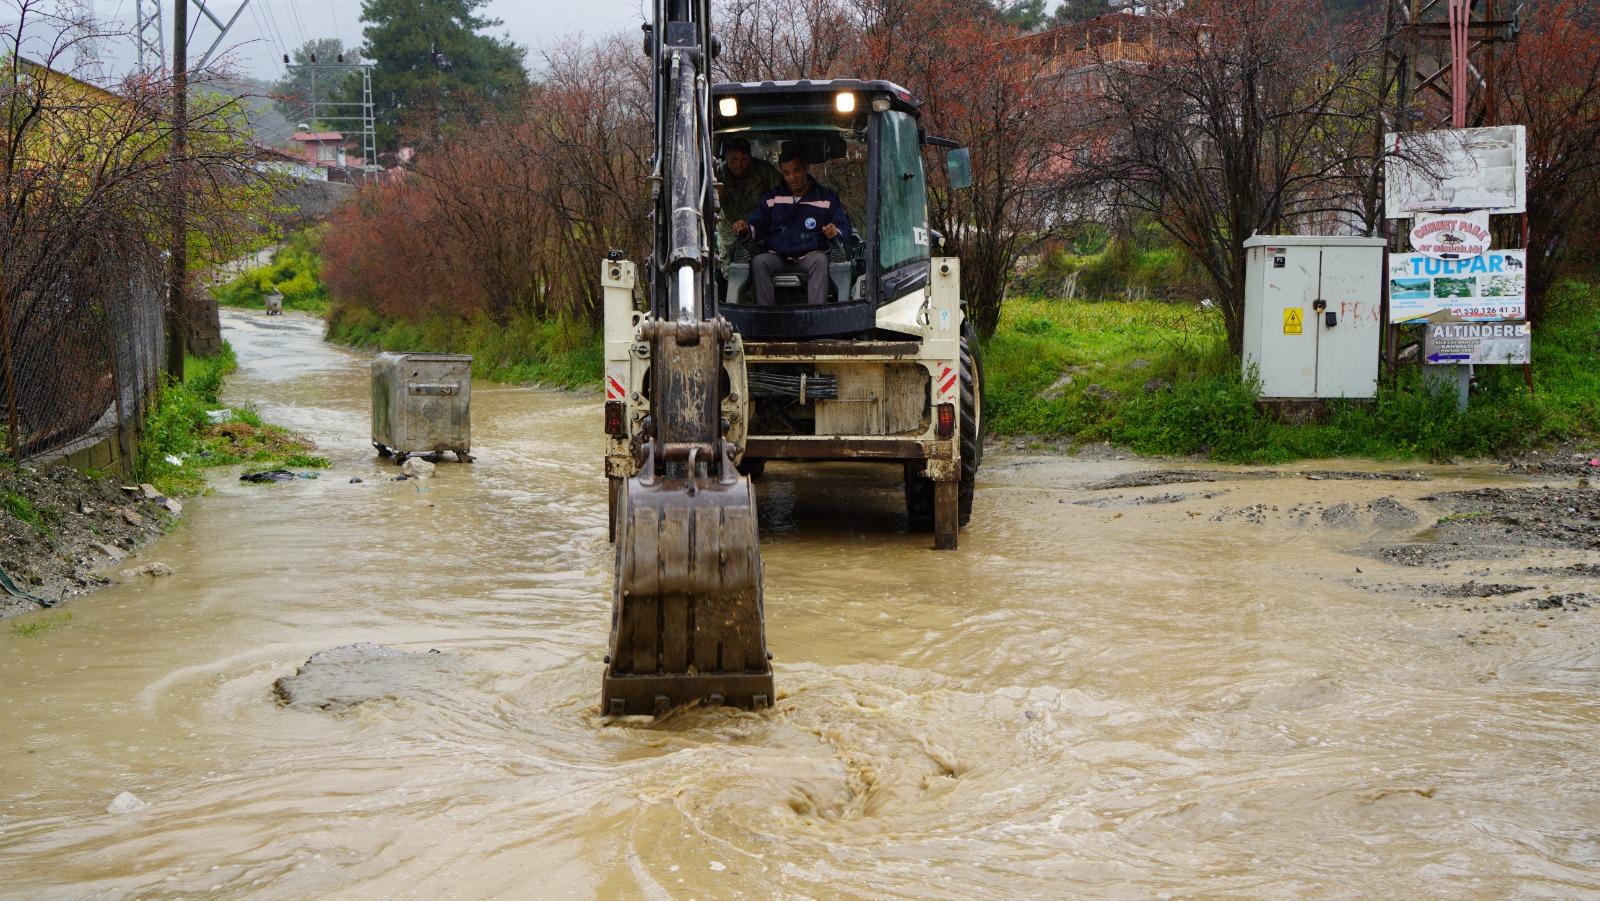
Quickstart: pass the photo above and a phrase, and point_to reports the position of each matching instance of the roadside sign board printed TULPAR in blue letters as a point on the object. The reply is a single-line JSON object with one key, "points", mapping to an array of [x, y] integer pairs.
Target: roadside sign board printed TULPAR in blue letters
{"points": [[1489, 287]]}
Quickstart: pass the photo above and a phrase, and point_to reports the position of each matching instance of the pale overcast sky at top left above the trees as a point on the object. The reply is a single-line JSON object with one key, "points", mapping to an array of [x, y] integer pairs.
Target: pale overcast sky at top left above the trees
{"points": [[268, 30]]}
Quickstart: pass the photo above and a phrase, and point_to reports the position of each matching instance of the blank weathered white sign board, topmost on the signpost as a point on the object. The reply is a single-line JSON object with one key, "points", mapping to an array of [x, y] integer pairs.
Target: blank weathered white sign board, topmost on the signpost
{"points": [[1457, 169]]}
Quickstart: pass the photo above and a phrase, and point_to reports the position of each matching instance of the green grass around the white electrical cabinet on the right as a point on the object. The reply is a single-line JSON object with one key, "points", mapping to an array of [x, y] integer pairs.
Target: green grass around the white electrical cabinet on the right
{"points": [[1207, 409]]}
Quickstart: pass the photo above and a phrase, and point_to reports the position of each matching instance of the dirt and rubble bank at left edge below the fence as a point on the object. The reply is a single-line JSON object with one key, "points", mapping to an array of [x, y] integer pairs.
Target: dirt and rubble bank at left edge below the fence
{"points": [[63, 534]]}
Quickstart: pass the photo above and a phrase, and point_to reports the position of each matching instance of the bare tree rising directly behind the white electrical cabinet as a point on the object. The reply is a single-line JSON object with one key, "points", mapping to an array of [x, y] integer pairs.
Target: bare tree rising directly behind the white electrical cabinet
{"points": [[1247, 119]]}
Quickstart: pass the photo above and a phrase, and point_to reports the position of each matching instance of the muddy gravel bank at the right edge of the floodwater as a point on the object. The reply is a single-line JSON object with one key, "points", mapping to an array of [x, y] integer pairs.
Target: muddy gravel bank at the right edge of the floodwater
{"points": [[1532, 547]]}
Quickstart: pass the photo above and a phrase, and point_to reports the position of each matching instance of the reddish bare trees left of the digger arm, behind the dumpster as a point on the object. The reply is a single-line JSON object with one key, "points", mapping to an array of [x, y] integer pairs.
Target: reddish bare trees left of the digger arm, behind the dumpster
{"points": [[511, 218]]}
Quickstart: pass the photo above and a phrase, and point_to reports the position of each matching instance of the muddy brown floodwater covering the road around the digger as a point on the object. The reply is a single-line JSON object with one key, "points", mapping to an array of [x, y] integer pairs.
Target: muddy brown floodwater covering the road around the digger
{"points": [[1121, 700]]}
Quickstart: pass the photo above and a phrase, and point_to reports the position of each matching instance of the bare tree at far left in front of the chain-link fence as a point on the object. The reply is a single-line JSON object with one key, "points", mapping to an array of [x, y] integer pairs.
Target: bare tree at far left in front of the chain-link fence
{"points": [[86, 185]]}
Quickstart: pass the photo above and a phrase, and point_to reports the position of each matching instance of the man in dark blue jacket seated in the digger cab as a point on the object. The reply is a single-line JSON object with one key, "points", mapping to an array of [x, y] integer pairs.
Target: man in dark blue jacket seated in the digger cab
{"points": [[796, 222]]}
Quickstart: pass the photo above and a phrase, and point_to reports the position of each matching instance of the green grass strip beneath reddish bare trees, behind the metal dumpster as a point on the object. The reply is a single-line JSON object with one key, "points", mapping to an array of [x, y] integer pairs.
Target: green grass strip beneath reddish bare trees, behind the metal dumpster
{"points": [[524, 351]]}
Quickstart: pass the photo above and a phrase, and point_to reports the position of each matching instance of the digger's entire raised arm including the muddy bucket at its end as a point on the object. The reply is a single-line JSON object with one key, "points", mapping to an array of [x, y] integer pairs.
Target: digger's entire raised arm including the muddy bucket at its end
{"points": [[687, 620]]}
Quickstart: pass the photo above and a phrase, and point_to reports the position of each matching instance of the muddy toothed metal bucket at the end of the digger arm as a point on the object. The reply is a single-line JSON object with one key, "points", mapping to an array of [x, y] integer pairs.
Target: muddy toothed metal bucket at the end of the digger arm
{"points": [[687, 622]]}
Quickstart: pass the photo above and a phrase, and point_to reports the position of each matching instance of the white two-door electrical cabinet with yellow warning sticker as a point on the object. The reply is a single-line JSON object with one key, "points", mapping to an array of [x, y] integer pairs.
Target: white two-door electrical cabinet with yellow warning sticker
{"points": [[1314, 316]]}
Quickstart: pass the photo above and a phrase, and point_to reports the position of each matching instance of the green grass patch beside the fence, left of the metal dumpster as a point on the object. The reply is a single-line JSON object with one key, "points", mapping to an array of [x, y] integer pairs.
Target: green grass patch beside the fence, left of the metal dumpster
{"points": [[180, 426]]}
